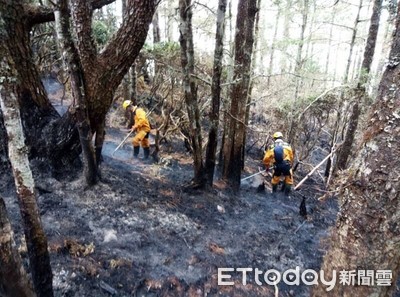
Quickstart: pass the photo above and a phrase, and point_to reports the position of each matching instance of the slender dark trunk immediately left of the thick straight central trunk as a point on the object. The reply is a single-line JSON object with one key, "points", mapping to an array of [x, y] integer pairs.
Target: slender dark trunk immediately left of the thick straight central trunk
{"points": [[216, 94]]}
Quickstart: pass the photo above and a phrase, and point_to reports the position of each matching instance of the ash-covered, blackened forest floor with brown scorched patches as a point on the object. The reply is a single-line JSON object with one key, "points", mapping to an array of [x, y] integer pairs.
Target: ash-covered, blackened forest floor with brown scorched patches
{"points": [[141, 232]]}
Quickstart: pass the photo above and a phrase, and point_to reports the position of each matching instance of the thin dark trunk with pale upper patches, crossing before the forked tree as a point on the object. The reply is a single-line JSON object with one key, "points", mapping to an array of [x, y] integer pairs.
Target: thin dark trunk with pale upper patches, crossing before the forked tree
{"points": [[78, 91]]}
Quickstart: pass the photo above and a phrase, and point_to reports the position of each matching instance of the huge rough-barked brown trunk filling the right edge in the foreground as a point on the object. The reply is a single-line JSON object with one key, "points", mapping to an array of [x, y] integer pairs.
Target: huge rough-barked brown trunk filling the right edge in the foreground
{"points": [[367, 232]]}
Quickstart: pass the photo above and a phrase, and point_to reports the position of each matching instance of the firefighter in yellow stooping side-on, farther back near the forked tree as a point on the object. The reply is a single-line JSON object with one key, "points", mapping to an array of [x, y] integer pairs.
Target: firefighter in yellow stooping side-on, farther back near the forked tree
{"points": [[138, 123]]}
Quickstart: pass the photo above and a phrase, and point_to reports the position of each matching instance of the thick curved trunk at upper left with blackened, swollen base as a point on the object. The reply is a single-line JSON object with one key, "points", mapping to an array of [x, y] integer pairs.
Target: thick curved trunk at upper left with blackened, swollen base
{"points": [[46, 134]]}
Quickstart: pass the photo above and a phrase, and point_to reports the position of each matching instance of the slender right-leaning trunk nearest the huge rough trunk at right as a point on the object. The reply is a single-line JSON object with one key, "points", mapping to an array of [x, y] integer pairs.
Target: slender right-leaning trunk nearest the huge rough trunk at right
{"points": [[346, 149]]}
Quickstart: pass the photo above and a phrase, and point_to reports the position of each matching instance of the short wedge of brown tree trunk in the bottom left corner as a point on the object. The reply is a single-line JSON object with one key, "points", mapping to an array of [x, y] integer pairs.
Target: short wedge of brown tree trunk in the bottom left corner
{"points": [[13, 279]]}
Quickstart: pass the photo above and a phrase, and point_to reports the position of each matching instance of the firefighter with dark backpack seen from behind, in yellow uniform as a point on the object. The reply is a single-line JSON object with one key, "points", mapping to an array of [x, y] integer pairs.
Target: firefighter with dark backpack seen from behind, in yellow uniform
{"points": [[280, 156]]}
